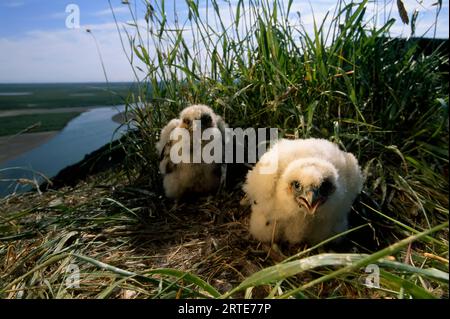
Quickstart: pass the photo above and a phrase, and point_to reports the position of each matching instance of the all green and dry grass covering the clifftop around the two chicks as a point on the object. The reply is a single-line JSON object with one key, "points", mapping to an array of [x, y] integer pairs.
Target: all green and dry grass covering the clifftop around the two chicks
{"points": [[380, 98]]}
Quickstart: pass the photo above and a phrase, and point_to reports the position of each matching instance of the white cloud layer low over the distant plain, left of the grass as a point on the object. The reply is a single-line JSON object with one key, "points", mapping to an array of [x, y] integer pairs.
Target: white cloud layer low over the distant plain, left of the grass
{"points": [[67, 55]]}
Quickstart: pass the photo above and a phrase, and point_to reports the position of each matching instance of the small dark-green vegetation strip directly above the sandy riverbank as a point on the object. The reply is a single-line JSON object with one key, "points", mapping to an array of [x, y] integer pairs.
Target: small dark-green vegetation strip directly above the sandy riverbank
{"points": [[11, 125]]}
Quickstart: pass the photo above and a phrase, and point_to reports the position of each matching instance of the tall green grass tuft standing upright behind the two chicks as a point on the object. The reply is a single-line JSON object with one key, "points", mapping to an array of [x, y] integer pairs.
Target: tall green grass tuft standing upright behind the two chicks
{"points": [[347, 80]]}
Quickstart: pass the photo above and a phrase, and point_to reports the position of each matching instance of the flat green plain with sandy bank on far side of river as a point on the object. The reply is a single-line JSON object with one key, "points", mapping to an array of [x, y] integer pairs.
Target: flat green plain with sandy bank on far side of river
{"points": [[30, 114]]}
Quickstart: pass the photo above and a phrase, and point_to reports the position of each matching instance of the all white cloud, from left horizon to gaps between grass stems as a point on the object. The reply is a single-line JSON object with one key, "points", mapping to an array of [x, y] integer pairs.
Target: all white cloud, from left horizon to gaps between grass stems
{"points": [[70, 55]]}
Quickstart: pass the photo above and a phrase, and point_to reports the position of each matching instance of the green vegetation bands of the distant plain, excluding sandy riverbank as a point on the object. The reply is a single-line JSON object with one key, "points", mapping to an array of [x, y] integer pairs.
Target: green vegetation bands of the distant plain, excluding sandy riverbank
{"points": [[29, 97]]}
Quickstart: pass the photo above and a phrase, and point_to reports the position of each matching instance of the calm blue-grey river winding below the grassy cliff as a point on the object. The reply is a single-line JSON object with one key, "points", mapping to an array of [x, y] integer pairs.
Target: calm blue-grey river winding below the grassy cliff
{"points": [[84, 134]]}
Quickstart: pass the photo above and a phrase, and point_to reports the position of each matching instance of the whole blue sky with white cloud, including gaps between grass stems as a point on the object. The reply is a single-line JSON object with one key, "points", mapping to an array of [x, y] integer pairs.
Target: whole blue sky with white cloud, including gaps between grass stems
{"points": [[36, 45]]}
